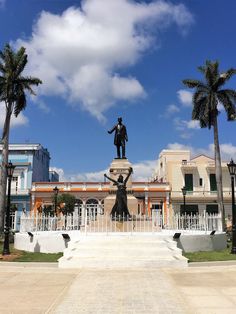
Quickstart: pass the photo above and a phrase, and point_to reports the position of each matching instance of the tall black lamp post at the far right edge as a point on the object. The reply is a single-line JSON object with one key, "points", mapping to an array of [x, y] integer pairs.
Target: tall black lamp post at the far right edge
{"points": [[232, 171]]}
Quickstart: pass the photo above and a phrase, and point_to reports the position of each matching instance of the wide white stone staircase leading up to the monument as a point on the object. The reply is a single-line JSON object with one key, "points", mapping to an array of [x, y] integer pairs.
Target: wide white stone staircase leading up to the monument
{"points": [[122, 251]]}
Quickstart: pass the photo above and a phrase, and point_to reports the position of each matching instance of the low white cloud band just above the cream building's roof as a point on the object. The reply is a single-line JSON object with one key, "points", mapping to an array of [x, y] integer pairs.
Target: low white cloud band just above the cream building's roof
{"points": [[228, 150]]}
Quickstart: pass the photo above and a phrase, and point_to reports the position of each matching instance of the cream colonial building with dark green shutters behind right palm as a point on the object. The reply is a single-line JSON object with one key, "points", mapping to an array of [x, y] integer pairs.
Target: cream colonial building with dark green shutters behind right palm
{"points": [[197, 175]]}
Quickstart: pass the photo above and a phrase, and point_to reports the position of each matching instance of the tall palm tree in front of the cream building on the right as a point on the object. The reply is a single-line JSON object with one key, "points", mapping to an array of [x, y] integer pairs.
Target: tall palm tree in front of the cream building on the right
{"points": [[206, 98]]}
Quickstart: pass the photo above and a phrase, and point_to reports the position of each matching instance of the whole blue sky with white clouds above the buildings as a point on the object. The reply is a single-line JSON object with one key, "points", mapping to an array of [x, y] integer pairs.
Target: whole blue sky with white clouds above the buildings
{"points": [[101, 59]]}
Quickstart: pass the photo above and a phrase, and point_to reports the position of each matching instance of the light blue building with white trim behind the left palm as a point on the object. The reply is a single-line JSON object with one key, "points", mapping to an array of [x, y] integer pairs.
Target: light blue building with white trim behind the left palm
{"points": [[32, 165]]}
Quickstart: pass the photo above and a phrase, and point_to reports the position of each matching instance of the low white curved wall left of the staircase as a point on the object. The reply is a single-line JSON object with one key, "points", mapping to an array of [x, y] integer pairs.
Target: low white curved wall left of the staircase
{"points": [[44, 242]]}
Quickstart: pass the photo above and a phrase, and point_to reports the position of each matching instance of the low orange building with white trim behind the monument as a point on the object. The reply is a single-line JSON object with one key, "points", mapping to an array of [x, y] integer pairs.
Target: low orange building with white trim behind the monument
{"points": [[149, 195]]}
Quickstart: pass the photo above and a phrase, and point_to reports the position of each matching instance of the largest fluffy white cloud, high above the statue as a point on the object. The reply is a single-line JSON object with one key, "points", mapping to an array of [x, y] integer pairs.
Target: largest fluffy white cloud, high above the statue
{"points": [[78, 54]]}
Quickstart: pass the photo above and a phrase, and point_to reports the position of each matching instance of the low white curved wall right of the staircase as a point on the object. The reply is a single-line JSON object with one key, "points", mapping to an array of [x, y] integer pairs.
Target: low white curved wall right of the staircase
{"points": [[202, 242]]}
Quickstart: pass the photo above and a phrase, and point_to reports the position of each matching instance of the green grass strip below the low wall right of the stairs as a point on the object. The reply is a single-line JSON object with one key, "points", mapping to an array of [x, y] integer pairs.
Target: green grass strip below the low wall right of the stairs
{"points": [[212, 256]]}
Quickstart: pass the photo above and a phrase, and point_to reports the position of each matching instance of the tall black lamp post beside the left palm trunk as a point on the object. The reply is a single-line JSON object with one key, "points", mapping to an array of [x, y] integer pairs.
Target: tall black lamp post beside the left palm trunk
{"points": [[6, 250]]}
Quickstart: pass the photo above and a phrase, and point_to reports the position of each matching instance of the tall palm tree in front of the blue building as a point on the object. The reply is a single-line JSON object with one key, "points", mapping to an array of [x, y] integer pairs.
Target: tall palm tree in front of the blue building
{"points": [[12, 92]]}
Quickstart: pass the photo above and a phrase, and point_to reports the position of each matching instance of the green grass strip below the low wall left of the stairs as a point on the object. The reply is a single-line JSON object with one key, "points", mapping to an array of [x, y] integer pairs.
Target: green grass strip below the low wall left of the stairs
{"points": [[23, 256]]}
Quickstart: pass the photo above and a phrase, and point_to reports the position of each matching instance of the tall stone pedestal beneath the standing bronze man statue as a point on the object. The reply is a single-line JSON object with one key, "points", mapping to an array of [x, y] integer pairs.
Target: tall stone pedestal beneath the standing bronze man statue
{"points": [[117, 167]]}
